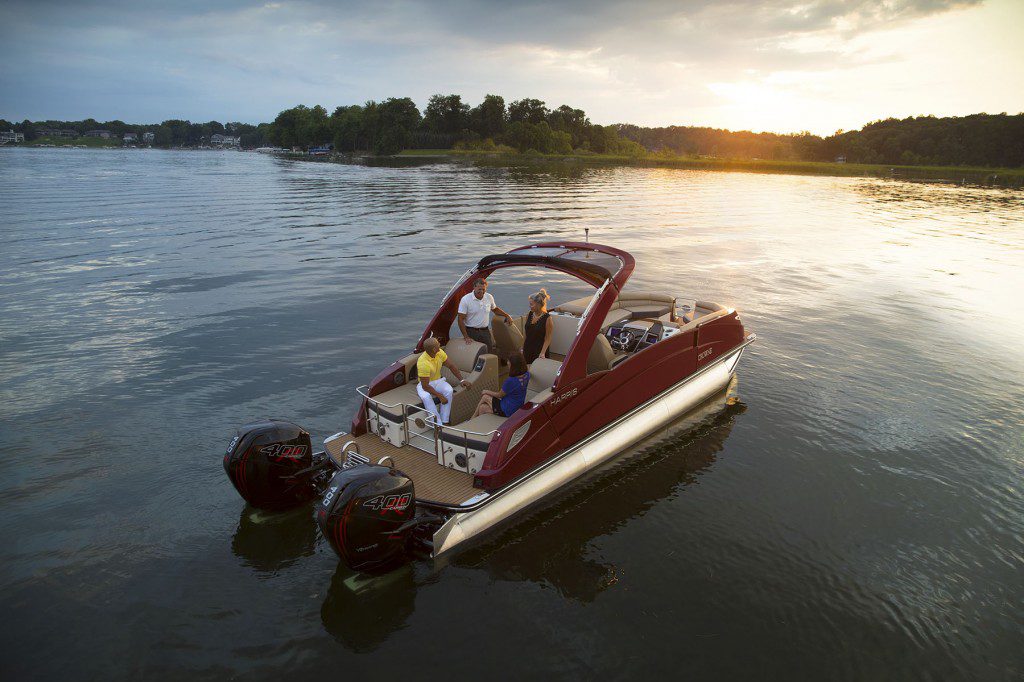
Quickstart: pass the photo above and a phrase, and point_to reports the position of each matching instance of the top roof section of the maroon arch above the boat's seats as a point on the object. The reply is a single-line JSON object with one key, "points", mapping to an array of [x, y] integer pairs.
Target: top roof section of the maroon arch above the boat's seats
{"points": [[593, 264]]}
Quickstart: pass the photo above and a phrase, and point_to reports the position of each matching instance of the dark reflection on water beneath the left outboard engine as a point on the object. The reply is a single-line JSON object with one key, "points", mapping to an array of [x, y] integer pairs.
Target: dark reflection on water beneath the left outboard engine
{"points": [[272, 541]]}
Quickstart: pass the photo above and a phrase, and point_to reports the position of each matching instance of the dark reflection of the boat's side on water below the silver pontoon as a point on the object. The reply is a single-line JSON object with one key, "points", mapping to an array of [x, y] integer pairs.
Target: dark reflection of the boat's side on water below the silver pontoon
{"points": [[552, 548]]}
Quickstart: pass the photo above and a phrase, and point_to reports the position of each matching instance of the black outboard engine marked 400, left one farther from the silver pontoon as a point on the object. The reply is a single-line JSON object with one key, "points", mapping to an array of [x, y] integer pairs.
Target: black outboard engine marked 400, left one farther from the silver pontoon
{"points": [[272, 465]]}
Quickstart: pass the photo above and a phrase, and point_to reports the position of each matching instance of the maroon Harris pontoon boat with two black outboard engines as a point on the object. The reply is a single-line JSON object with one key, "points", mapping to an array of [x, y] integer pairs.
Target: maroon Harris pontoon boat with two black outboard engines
{"points": [[622, 364]]}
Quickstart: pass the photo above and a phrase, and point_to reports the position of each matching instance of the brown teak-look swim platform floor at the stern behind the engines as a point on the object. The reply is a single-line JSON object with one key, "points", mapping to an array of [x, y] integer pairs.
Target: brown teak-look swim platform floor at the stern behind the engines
{"points": [[433, 482]]}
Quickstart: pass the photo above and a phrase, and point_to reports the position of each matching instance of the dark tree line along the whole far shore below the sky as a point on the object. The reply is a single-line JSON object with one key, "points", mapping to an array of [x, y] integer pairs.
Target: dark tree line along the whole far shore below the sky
{"points": [[529, 126]]}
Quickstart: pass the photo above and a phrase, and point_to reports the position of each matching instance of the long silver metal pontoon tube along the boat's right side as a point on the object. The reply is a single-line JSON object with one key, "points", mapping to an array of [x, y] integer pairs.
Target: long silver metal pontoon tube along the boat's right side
{"points": [[588, 455]]}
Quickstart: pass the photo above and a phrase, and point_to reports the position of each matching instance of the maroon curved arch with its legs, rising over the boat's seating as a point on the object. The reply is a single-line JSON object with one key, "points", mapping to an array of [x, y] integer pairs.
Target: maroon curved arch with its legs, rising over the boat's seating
{"points": [[605, 268]]}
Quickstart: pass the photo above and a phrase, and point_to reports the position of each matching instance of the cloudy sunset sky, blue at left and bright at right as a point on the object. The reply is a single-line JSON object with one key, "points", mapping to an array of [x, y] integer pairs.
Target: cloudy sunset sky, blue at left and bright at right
{"points": [[779, 66]]}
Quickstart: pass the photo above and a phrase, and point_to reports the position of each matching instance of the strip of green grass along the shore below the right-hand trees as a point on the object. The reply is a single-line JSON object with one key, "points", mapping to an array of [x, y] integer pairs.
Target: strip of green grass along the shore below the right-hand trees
{"points": [[1012, 176]]}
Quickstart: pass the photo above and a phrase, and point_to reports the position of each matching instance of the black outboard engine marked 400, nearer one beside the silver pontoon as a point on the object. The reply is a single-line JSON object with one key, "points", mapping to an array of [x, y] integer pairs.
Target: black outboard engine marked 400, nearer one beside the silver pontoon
{"points": [[367, 517]]}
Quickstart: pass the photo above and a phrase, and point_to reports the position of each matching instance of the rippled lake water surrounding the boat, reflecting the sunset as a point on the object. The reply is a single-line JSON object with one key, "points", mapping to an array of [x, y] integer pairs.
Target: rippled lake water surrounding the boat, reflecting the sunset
{"points": [[856, 514]]}
